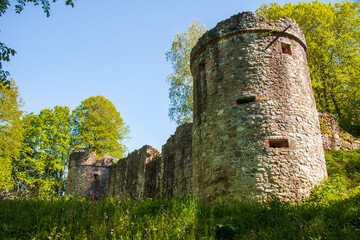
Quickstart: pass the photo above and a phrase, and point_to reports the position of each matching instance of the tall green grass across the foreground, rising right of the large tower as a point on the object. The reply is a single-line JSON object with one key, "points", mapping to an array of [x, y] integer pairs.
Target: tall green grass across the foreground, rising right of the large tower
{"points": [[332, 212]]}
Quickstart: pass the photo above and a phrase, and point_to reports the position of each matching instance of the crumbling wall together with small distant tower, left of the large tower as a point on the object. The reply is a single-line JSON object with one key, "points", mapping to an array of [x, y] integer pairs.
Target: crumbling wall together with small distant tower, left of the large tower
{"points": [[143, 173]]}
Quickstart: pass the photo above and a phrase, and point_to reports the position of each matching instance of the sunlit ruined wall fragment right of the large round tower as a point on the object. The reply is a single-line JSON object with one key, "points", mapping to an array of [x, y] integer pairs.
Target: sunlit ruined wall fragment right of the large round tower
{"points": [[334, 137]]}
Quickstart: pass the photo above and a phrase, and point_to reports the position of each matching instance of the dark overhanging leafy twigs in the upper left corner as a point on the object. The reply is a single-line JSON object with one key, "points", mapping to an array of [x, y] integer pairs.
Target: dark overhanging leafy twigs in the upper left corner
{"points": [[6, 52]]}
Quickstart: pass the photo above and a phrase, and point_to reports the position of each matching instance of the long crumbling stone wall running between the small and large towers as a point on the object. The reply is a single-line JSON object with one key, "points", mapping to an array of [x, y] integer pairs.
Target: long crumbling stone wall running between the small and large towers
{"points": [[145, 173]]}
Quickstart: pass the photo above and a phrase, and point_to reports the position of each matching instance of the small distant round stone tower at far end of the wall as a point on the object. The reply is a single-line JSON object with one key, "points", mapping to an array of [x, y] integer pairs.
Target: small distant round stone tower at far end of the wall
{"points": [[87, 175]]}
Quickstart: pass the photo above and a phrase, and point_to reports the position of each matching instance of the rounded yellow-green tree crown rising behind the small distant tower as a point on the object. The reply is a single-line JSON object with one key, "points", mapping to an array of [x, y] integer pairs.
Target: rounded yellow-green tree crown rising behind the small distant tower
{"points": [[98, 126]]}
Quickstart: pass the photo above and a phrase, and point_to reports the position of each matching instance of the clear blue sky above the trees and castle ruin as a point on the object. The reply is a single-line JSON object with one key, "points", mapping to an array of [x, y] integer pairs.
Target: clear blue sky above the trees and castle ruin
{"points": [[114, 48]]}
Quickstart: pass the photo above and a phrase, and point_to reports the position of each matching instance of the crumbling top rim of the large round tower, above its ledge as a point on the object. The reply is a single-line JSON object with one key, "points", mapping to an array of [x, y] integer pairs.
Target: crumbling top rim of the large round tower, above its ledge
{"points": [[247, 22]]}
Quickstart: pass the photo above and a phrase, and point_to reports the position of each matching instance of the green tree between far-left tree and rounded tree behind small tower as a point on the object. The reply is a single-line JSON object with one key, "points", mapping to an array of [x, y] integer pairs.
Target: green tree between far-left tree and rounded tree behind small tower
{"points": [[40, 167]]}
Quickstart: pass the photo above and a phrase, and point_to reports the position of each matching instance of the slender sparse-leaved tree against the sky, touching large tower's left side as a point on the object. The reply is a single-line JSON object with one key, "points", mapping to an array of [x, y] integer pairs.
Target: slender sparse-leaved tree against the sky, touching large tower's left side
{"points": [[181, 81]]}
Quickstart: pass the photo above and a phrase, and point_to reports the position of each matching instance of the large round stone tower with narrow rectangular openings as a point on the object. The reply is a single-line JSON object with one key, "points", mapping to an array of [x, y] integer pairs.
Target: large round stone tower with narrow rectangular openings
{"points": [[256, 131]]}
